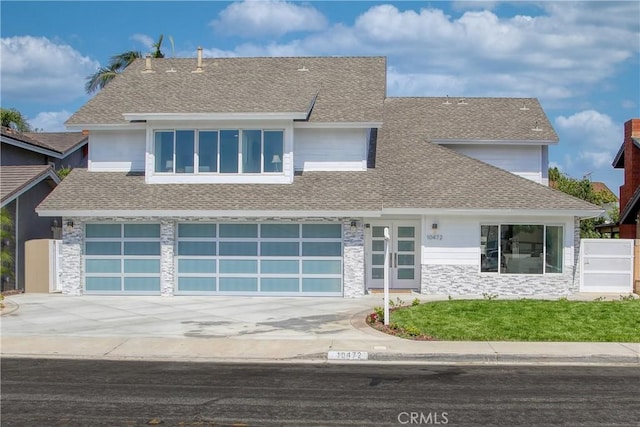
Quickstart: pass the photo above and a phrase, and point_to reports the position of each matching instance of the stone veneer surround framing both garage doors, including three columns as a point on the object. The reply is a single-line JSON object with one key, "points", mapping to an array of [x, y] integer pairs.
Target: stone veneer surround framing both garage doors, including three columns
{"points": [[73, 249]]}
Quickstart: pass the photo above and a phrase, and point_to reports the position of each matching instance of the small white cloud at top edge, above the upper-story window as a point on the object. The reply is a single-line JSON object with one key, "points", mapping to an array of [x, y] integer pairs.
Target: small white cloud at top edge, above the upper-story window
{"points": [[268, 18]]}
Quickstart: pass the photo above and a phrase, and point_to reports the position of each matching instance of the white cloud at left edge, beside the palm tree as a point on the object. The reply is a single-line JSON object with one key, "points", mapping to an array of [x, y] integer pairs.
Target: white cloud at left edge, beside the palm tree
{"points": [[38, 70]]}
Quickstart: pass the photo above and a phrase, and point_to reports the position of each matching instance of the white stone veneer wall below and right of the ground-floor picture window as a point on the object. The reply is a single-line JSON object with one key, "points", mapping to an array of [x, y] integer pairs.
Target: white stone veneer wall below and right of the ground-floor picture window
{"points": [[467, 280]]}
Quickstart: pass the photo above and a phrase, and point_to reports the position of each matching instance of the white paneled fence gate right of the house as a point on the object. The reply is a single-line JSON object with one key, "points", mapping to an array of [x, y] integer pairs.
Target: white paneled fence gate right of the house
{"points": [[606, 265]]}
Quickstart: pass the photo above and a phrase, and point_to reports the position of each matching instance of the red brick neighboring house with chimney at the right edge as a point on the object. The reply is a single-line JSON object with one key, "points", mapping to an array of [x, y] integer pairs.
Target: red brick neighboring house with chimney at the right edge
{"points": [[628, 157]]}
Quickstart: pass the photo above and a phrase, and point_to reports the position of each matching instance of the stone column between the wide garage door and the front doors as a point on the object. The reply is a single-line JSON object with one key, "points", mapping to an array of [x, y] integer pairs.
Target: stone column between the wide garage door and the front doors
{"points": [[354, 274]]}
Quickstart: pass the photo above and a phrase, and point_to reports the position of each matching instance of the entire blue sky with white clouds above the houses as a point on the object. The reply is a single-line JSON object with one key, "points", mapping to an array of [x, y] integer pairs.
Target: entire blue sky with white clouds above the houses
{"points": [[580, 59]]}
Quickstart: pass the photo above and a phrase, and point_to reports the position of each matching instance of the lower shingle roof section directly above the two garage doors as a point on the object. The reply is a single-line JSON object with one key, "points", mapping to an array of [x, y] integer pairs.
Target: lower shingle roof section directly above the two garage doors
{"points": [[312, 191]]}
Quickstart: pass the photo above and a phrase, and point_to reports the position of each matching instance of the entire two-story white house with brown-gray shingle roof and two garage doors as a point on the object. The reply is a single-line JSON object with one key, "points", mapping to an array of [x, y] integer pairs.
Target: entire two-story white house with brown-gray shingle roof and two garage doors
{"points": [[278, 176]]}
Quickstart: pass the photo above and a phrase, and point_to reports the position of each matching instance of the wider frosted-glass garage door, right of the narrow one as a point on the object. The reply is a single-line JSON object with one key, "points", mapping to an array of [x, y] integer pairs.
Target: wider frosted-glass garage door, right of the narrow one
{"points": [[264, 259]]}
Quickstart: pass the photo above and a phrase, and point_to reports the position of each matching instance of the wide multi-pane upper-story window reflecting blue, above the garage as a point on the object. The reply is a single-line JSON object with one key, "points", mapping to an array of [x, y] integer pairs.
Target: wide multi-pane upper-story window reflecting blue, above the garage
{"points": [[223, 151]]}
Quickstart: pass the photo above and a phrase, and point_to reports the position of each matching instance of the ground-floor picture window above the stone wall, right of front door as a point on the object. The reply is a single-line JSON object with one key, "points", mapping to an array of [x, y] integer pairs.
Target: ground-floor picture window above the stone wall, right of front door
{"points": [[521, 249]]}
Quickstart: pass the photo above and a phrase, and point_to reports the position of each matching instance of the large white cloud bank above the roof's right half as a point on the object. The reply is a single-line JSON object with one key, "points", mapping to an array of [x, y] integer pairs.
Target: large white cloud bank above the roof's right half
{"points": [[557, 55]]}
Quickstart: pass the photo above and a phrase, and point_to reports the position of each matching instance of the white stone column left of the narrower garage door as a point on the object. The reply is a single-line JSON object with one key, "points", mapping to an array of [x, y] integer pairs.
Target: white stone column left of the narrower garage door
{"points": [[71, 265]]}
